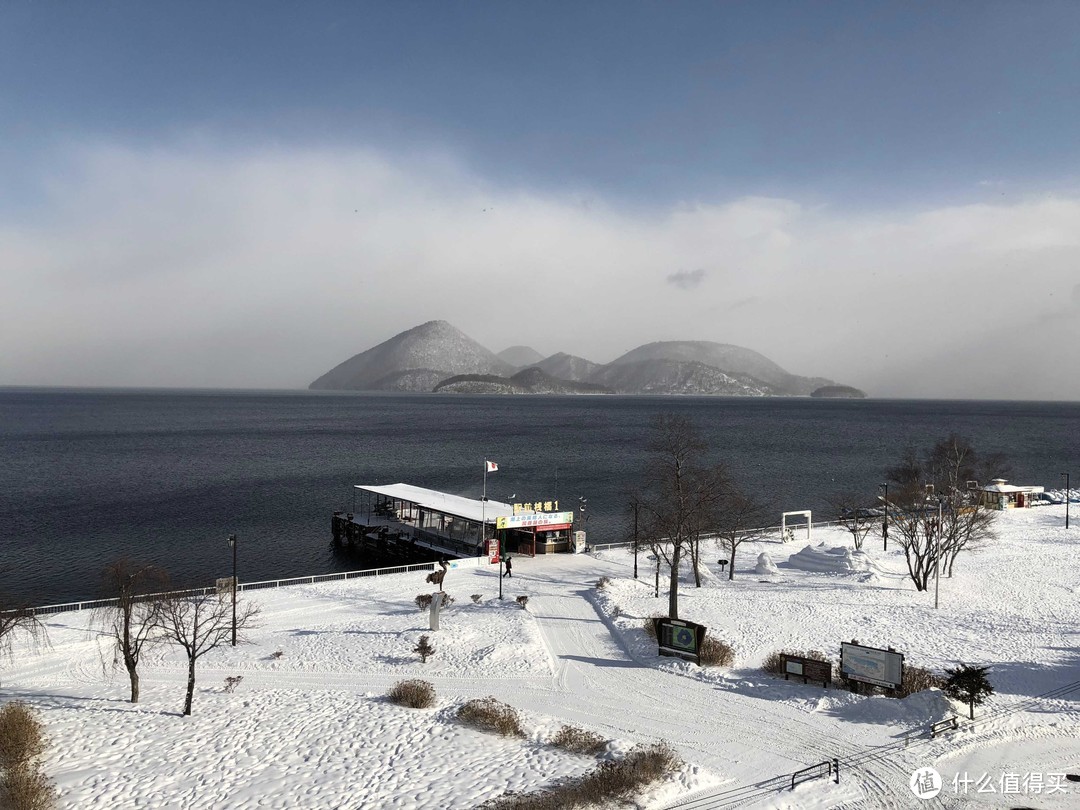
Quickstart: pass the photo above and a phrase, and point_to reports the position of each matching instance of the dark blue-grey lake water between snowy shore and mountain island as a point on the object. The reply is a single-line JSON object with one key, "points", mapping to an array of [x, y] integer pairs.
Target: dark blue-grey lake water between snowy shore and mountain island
{"points": [[165, 477]]}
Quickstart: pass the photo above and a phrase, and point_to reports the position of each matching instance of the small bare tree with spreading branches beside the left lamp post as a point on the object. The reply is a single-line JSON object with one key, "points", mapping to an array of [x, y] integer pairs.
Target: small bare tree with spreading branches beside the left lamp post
{"points": [[200, 624]]}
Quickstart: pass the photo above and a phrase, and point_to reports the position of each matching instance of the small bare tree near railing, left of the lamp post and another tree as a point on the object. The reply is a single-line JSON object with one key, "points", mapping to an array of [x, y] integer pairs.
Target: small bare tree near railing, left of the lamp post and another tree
{"points": [[134, 619]]}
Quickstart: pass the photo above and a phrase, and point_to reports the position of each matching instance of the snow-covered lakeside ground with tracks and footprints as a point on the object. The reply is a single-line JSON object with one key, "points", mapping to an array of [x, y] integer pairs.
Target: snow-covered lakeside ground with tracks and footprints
{"points": [[313, 730]]}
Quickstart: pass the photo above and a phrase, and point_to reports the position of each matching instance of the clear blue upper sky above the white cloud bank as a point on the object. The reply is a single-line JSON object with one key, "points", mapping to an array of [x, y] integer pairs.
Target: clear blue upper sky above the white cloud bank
{"points": [[852, 103]]}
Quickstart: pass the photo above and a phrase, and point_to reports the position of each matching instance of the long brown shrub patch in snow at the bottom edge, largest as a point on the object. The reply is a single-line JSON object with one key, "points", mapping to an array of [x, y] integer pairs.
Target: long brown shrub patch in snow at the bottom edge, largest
{"points": [[611, 784]]}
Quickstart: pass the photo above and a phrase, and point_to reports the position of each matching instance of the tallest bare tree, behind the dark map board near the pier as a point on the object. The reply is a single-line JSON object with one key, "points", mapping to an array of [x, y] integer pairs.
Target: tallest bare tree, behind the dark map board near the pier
{"points": [[679, 496]]}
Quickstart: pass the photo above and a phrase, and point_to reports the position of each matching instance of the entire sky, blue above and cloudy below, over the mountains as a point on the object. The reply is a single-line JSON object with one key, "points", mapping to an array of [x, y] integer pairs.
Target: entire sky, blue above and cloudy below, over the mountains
{"points": [[247, 195]]}
